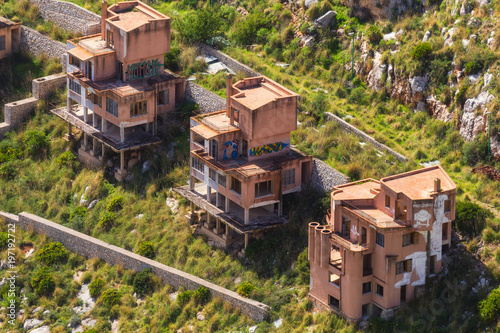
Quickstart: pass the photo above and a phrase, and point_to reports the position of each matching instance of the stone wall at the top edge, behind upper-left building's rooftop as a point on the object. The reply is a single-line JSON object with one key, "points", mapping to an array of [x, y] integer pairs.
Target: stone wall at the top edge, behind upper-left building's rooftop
{"points": [[69, 16]]}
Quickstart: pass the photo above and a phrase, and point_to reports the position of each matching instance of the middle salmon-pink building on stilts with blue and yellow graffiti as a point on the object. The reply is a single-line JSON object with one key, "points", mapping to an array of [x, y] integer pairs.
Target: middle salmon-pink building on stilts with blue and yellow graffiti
{"points": [[242, 162]]}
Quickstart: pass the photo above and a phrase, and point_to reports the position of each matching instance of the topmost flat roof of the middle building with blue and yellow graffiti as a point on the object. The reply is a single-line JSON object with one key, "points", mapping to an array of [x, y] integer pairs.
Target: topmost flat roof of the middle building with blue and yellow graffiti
{"points": [[258, 91]]}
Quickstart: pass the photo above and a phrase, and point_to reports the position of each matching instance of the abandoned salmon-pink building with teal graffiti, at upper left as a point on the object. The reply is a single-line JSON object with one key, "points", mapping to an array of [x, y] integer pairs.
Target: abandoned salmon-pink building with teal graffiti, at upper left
{"points": [[117, 86]]}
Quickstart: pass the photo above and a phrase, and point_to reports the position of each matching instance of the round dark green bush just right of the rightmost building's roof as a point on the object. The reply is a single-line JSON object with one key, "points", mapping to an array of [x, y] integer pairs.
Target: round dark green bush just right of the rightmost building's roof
{"points": [[470, 218]]}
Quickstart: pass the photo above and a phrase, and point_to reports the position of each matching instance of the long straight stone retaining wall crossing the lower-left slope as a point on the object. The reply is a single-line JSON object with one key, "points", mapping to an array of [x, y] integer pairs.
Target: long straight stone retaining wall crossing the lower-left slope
{"points": [[93, 248]]}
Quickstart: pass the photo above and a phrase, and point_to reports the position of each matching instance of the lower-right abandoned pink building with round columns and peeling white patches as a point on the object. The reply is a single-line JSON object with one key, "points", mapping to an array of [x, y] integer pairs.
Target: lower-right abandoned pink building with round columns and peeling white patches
{"points": [[381, 241]]}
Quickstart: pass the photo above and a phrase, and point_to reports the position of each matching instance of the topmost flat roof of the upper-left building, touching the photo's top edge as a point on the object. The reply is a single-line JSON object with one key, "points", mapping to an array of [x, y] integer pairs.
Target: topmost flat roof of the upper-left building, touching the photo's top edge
{"points": [[133, 14]]}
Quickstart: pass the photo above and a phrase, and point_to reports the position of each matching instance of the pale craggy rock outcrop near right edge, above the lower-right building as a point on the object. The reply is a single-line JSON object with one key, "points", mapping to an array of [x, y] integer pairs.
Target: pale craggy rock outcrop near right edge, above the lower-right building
{"points": [[472, 122]]}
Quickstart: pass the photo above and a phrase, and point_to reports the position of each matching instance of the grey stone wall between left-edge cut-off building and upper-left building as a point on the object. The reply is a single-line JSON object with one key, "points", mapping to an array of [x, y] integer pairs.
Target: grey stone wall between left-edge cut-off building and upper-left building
{"points": [[37, 44]]}
